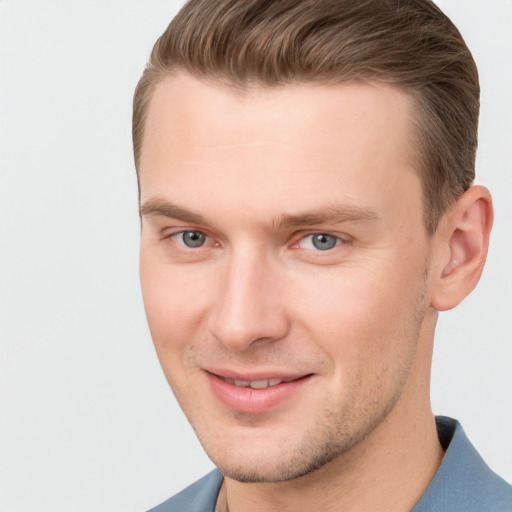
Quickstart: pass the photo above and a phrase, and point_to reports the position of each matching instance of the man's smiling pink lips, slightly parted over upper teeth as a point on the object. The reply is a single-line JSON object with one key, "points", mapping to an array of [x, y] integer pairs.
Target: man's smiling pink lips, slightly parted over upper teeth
{"points": [[255, 394]]}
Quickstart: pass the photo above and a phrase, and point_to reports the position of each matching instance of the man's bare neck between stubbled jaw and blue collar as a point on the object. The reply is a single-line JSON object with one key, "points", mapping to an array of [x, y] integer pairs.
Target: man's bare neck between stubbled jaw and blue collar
{"points": [[388, 471]]}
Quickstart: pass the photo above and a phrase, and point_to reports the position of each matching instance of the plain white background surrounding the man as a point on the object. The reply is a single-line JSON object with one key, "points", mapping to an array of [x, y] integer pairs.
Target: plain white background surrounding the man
{"points": [[86, 420]]}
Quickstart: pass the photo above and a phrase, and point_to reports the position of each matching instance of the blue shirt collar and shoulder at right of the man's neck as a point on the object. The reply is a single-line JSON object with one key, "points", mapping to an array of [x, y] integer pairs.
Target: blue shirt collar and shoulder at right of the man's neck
{"points": [[463, 482]]}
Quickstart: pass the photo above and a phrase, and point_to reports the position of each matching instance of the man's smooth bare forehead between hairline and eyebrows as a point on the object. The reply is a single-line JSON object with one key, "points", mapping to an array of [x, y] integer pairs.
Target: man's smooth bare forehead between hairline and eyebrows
{"points": [[281, 142]]}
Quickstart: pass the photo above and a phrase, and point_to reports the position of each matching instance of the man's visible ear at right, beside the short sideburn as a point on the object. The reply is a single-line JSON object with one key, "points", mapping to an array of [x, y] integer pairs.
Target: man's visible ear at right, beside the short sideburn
{"points": [[461, 244]]}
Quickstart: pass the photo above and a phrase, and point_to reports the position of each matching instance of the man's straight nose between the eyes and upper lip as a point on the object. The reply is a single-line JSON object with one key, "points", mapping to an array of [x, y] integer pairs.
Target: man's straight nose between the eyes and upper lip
{"points": [[250, 307]]}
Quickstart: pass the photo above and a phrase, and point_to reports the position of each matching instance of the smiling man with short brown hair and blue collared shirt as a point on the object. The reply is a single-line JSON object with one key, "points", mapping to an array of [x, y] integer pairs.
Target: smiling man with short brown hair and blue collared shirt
{"points": [[305, 172]]}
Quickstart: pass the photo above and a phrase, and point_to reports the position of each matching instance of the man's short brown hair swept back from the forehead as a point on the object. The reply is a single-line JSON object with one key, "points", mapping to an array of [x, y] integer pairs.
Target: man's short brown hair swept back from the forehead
{"points": [[408, 43]]}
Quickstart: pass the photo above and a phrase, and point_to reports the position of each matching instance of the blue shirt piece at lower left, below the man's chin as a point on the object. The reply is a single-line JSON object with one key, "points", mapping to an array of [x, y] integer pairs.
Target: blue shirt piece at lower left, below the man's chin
{"points": [[201, 496]]}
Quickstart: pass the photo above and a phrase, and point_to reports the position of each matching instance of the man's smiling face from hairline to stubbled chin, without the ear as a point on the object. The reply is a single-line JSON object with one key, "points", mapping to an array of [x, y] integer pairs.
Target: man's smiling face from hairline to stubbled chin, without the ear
{"points": [[284, 268]]}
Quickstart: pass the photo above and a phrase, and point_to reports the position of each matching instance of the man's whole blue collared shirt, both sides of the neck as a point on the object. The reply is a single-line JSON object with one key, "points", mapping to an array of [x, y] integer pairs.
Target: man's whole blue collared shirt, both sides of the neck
{"points": [[463, 482]]}
